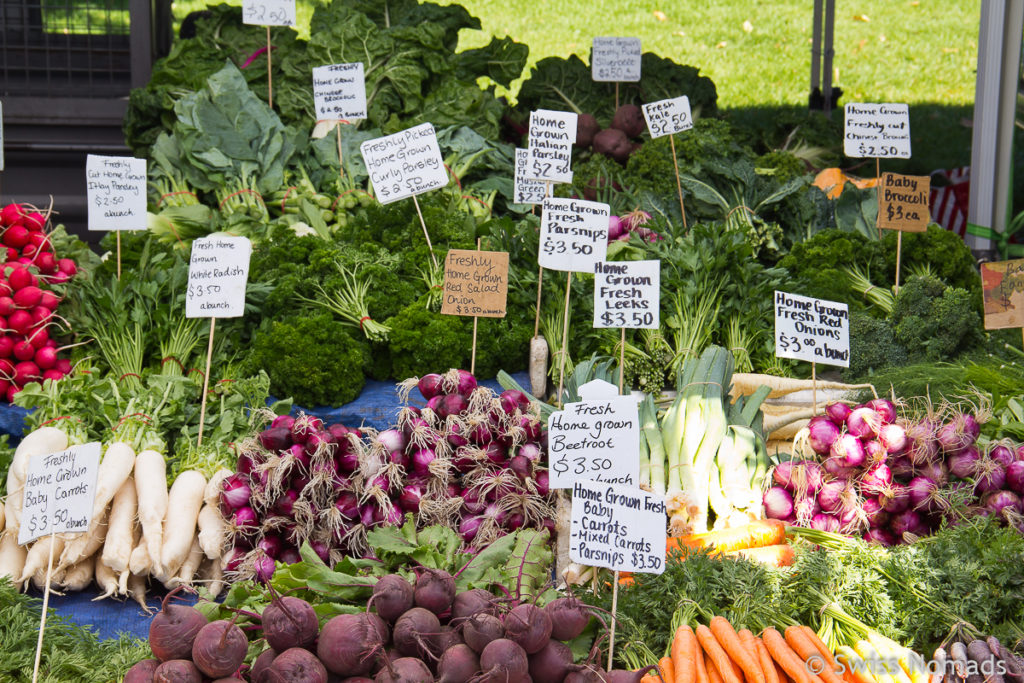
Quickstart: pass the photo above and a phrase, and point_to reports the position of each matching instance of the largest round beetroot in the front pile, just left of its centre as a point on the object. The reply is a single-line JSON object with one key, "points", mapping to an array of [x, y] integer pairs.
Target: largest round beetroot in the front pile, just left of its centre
{"points": [[349, 643]]}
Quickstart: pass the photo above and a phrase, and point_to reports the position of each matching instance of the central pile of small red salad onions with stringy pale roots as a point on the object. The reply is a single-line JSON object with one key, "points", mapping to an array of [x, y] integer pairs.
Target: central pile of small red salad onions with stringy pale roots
{"points": [[470, 459]]}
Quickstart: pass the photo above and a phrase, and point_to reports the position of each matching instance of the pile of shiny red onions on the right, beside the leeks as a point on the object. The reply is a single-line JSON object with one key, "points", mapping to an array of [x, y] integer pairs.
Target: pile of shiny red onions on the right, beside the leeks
{"points": [[892, 479]]}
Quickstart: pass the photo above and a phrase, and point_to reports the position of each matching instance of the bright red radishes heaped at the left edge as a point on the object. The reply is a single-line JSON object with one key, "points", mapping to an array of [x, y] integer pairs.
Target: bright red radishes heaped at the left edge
{"points": [[28, 303]]}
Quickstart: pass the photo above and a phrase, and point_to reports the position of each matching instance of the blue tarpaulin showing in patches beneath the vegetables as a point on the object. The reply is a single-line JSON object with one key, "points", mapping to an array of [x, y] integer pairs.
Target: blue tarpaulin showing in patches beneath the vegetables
{"points": [[377, 407]]}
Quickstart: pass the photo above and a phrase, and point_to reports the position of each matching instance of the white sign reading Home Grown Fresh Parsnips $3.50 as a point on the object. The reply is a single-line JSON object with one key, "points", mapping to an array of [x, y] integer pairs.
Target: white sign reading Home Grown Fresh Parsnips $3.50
{"points": [[574, 235]]}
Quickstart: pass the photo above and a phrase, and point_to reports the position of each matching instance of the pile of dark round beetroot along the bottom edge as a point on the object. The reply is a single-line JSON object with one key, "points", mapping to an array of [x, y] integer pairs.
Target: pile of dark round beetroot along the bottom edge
{"points": [[411, 633]]}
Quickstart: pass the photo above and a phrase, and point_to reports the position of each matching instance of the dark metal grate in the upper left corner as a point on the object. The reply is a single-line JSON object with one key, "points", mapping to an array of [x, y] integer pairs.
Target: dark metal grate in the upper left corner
{"points": [[65, 49]]}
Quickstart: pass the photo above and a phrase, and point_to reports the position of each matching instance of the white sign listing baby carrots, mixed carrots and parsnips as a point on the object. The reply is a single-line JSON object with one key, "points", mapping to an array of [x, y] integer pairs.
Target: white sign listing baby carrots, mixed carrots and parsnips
{"points": [[618, 528]]}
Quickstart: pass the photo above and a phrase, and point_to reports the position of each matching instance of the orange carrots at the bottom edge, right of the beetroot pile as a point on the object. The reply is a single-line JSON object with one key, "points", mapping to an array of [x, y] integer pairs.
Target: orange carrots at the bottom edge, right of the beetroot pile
{"points": [[718, 654]]}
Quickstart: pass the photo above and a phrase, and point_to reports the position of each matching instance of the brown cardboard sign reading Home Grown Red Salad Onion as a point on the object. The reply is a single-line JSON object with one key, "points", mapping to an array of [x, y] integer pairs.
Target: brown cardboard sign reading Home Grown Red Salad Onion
{"points": [[477, 283]]}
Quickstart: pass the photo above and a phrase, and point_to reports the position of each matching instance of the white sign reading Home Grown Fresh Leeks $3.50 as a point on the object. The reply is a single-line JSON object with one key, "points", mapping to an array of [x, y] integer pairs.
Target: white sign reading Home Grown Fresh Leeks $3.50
{"points": [[628, 294]]}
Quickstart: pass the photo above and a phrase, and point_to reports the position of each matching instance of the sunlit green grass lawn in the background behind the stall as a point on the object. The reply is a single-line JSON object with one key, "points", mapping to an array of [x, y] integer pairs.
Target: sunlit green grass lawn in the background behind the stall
{"points": [[923, 53]]}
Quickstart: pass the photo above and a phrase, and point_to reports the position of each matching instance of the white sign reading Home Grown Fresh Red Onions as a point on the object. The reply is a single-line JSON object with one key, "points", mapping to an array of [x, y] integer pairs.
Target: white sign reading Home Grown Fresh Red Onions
{"points": [[813, 330]]}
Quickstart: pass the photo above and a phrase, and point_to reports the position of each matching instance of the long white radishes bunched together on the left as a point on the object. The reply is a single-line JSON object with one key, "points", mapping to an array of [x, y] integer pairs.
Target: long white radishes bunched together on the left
{"points": [[140, 530]]}
